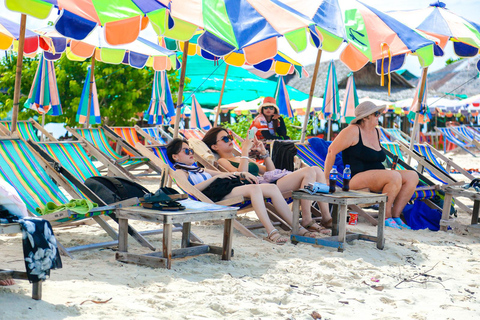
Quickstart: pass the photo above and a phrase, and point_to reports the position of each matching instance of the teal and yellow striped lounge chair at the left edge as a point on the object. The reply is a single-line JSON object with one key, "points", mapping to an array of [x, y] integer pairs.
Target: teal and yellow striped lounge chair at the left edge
{"points": [[37, 182]]}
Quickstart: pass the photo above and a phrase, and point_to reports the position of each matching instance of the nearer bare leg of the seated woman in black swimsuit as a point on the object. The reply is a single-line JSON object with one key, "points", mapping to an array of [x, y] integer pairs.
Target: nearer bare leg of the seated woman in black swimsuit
{"points": [[385, 181]]}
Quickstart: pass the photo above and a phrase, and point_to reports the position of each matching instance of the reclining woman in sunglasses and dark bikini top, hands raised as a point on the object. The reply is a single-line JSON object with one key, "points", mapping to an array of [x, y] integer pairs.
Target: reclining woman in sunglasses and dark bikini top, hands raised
{"points": [[220, 142]]}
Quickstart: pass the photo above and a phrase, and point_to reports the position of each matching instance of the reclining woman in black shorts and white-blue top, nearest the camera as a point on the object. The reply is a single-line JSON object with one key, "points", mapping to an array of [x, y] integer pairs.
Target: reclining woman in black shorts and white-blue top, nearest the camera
{"points": [[220, 185]]}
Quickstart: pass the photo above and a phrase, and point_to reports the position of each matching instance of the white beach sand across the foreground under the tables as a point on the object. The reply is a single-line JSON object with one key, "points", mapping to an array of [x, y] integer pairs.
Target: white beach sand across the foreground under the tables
{"points": [[262, 281]]}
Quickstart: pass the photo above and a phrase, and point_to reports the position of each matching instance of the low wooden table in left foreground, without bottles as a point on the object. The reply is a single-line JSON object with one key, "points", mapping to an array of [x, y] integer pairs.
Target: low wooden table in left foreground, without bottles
{"points": [[195, 211]]}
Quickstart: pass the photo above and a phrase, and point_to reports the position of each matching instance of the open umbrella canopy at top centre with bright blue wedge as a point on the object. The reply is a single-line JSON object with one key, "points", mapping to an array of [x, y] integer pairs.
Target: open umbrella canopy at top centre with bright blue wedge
{"points": [[251, 25]]}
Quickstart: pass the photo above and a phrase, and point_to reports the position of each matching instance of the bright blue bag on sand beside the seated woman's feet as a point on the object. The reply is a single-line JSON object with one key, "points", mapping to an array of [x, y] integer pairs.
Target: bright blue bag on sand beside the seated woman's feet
{"points": [[420, 216]]}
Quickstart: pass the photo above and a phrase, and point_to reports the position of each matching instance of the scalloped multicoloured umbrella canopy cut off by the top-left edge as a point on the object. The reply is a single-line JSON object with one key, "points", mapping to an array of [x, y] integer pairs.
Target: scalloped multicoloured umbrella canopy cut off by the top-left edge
{"points": [[120, 20]]}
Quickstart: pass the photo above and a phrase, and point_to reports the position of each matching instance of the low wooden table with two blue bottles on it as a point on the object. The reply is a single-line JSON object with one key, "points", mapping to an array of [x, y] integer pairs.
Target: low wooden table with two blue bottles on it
{"points": [[340, 201]]}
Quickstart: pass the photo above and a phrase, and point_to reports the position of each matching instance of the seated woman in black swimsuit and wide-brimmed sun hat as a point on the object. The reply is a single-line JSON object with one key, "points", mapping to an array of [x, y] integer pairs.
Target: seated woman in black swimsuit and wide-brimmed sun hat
{"points": [[360, 144]]}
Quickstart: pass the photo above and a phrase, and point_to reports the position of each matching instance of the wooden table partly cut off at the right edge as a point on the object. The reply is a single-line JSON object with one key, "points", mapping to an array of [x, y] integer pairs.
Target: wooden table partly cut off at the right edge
{"points": [[450, 192]]}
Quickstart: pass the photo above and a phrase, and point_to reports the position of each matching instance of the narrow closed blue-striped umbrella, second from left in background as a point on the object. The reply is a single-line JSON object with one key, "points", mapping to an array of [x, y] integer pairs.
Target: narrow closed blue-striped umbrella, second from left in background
{"points": [[82, 112]]}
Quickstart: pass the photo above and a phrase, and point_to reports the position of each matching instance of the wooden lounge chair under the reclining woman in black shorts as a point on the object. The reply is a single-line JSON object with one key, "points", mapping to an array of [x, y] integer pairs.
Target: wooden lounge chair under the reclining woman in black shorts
{"points": [[157, 154]]}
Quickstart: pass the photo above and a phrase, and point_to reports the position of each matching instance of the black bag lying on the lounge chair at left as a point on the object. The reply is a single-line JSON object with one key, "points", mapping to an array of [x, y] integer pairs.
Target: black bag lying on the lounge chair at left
{"points": [[114, 189]]}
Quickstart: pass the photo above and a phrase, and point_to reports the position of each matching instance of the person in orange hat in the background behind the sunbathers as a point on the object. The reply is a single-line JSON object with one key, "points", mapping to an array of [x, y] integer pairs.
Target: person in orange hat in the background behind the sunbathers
{"points": [[269, 123]]}
